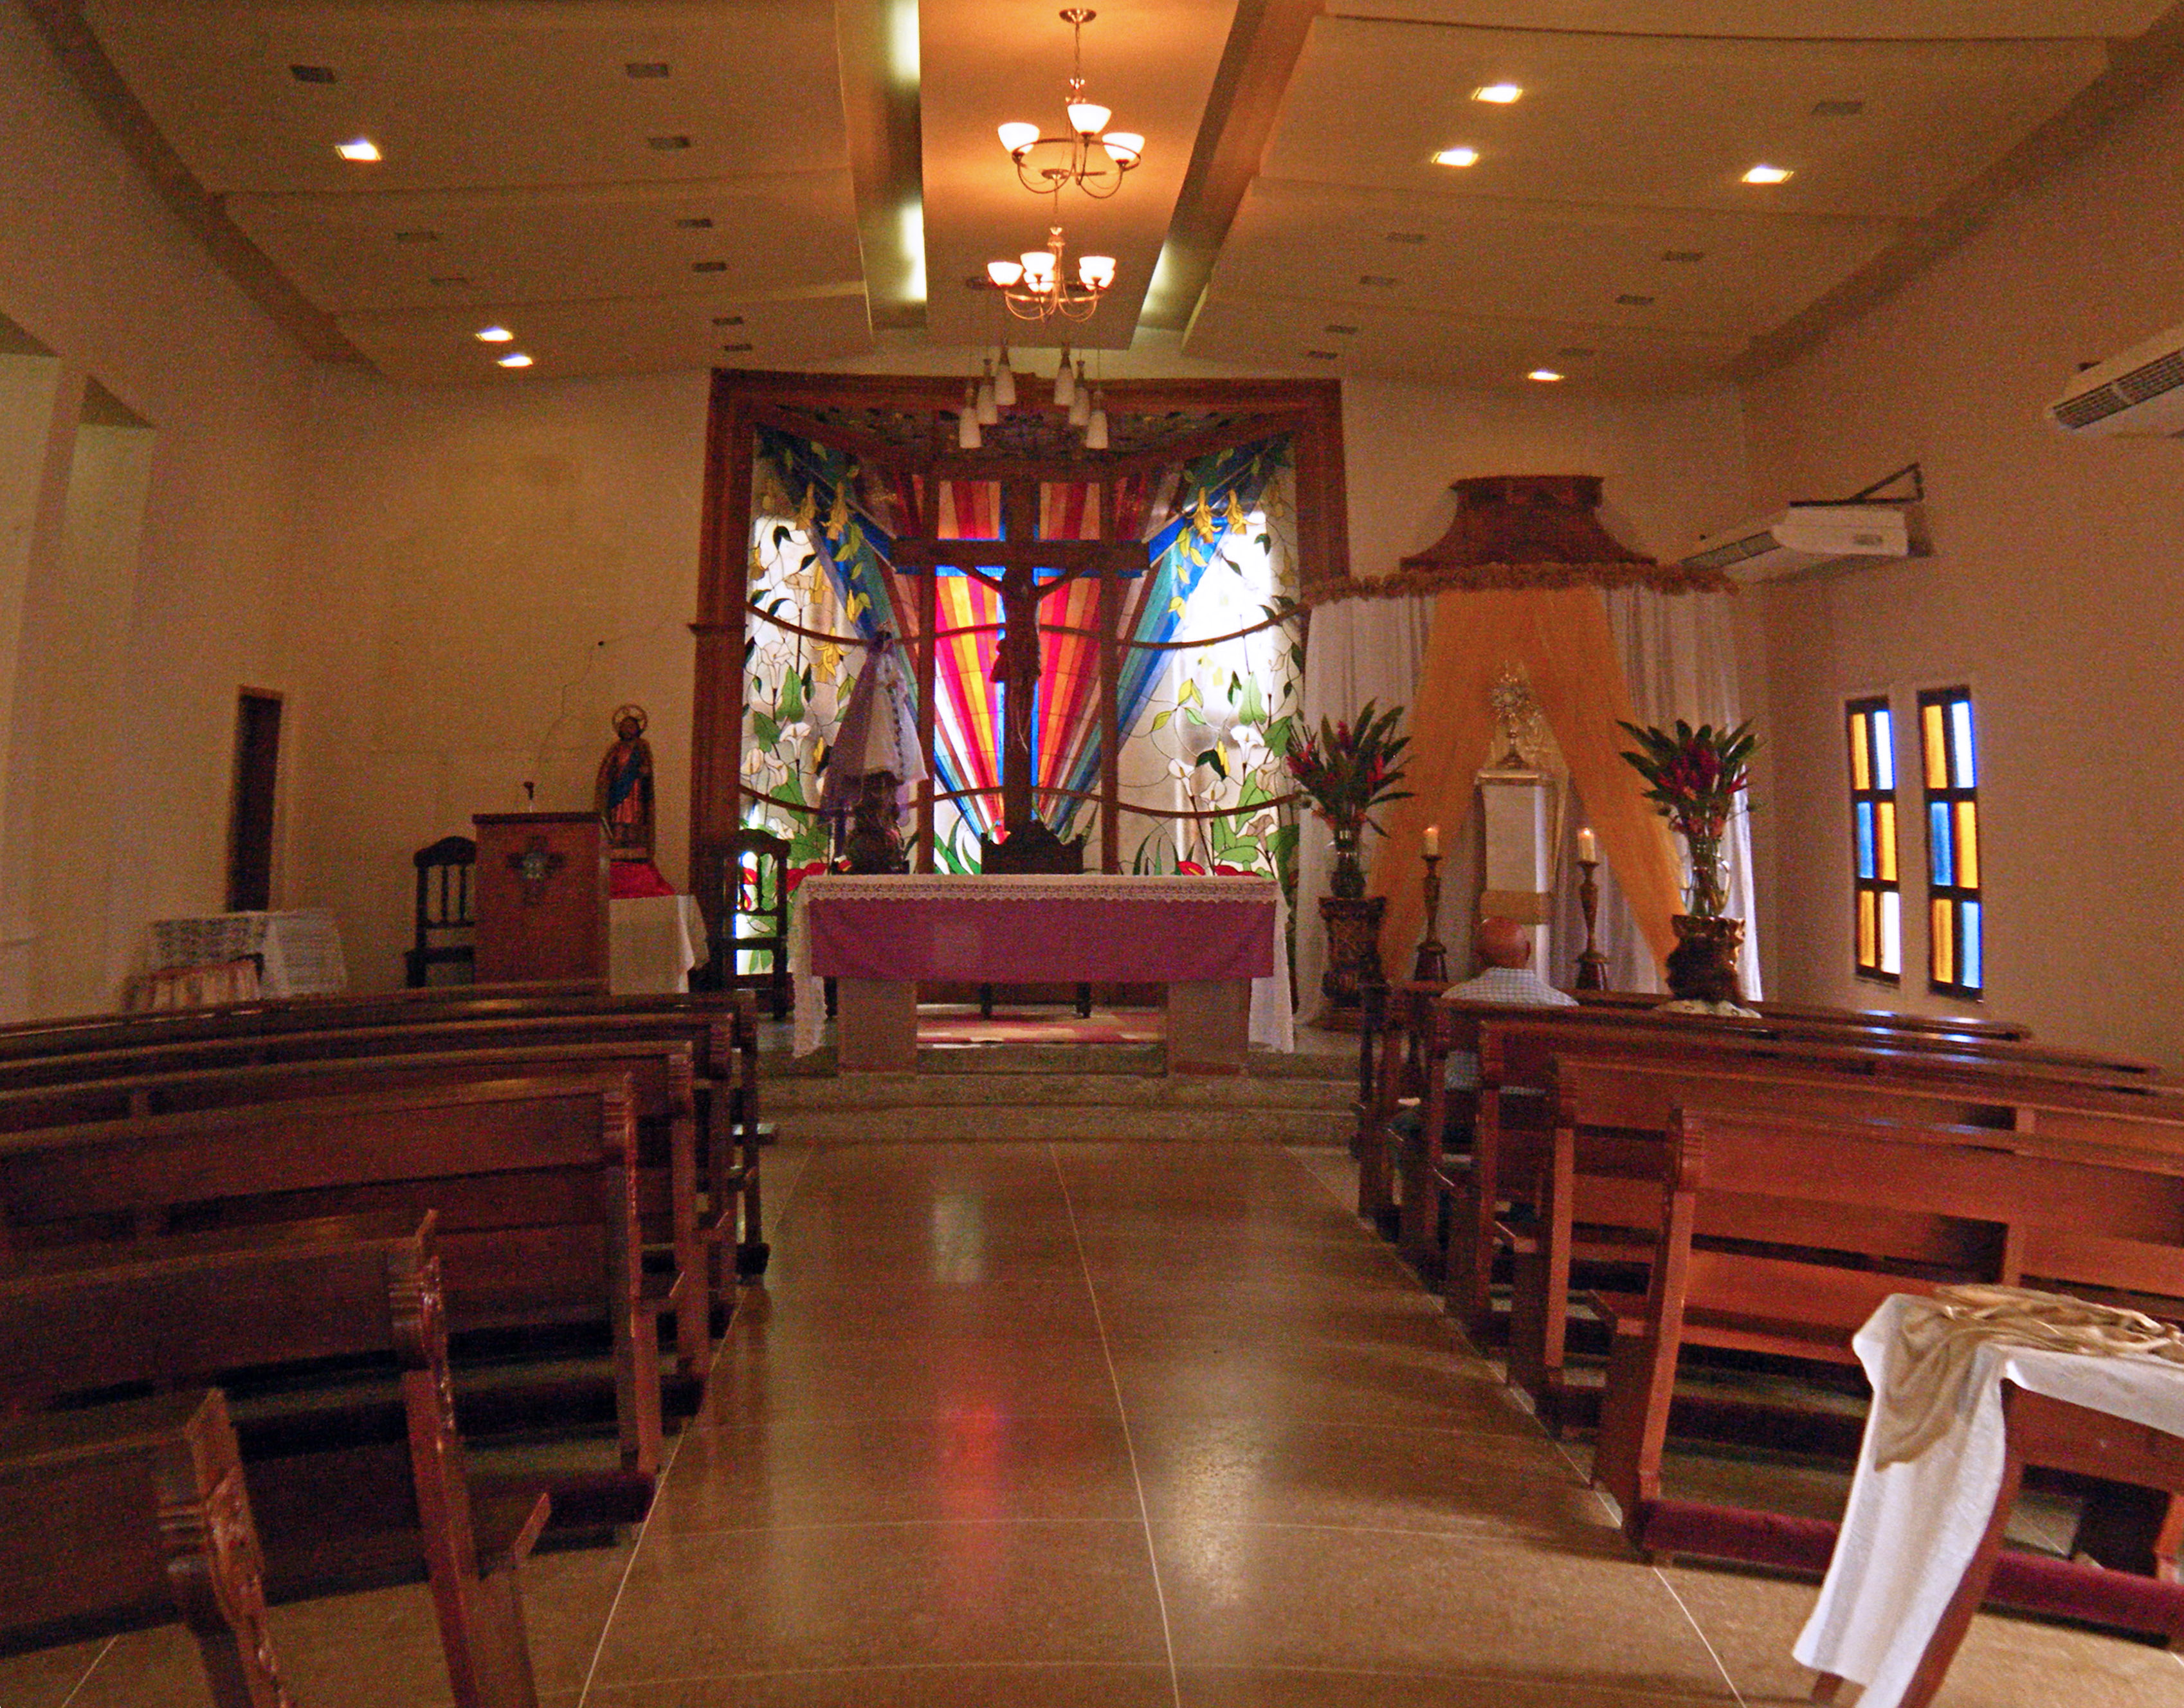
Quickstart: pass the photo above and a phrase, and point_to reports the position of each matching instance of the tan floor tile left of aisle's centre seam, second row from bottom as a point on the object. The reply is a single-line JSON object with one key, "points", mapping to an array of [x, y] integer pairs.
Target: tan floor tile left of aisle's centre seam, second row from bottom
{"points": [[886, 1596]]}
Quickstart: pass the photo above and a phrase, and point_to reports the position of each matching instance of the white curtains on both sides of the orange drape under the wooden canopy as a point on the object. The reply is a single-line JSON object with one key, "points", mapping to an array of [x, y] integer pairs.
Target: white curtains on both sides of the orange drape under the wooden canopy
{"points": [[1681, 665]]}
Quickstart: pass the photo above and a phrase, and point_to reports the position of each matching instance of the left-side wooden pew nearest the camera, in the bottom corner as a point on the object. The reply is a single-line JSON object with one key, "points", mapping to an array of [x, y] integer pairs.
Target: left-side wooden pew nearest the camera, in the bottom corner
{"points": [[136, 1517]]}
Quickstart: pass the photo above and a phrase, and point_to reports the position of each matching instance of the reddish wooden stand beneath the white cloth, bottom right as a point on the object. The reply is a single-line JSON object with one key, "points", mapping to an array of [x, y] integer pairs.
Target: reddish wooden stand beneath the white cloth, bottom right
{"points": [[2056, 1436]]}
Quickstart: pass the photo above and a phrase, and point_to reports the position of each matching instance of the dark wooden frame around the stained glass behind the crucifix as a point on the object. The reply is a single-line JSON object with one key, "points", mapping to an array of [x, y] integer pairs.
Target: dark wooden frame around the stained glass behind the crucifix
{"points": [[744, 403]]}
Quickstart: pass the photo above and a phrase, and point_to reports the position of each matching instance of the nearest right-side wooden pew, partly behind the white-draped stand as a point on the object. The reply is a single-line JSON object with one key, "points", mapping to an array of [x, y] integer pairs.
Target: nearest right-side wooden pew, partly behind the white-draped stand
{"points": [[1794, 1292]]}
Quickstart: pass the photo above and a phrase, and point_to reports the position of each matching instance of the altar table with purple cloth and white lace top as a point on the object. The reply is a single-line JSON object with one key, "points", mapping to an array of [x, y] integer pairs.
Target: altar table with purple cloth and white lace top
{"points": [[1215, 942]]}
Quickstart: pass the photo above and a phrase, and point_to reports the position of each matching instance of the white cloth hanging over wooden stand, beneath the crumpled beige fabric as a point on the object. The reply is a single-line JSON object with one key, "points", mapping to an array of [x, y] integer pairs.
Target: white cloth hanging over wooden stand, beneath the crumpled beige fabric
{"points": [[1912, 1528]]}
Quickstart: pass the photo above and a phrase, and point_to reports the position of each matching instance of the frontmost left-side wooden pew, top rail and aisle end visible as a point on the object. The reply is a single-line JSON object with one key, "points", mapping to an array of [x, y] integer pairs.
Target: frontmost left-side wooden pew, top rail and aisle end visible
{"points": [[722, 1041]]}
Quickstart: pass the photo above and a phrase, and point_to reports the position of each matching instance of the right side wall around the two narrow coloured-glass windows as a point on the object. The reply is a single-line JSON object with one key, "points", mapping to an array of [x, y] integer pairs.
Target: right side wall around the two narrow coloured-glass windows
{"points": [[2054, 593]]}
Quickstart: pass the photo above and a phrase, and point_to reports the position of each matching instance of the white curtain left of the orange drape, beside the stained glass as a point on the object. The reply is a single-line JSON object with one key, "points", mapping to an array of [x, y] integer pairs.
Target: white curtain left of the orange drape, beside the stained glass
{"points": [[1362, 650]]}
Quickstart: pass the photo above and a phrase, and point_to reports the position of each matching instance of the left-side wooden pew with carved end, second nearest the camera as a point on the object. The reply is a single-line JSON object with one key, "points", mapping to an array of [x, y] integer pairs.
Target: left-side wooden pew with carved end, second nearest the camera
{"points": [[344, 1513]]}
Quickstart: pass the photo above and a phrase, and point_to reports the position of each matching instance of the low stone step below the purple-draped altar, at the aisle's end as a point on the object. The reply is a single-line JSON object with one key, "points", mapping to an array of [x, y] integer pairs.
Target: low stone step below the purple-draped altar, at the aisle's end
{"points": [[1041, 1091]]}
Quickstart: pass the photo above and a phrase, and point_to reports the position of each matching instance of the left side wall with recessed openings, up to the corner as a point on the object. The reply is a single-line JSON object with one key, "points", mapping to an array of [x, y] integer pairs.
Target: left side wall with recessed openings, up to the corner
{"points": [[117, 803]]}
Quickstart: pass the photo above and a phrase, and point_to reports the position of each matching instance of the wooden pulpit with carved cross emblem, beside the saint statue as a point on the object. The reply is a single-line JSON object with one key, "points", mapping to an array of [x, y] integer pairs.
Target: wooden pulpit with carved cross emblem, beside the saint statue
{"points": [[541, 897]]}
